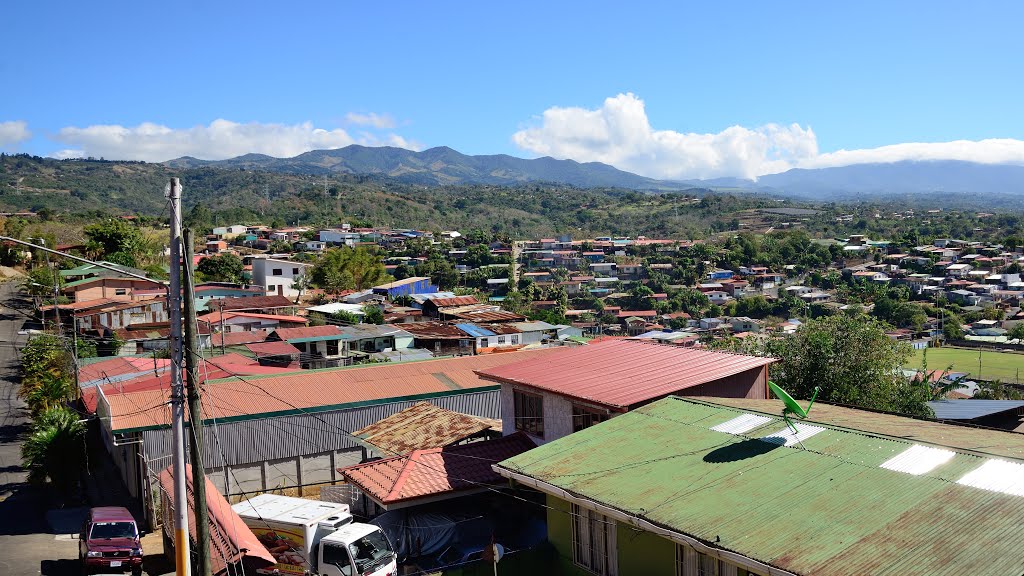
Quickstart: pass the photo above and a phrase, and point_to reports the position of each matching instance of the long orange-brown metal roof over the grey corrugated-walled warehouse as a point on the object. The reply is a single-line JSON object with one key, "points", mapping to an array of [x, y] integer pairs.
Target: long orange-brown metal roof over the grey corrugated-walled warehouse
{"points": [[314, 391]]}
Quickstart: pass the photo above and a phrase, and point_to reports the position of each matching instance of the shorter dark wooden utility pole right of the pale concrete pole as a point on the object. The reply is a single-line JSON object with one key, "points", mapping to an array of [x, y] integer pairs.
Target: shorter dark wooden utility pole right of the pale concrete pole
{"points": [[196, 415]]}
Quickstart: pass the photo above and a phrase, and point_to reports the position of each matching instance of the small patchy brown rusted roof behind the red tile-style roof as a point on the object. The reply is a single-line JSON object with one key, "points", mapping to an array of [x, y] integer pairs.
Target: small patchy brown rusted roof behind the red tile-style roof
{"points": [[422, 426]]}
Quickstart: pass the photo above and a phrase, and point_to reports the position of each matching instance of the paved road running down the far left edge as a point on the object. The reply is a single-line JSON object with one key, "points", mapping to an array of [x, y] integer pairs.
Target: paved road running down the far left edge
{"points": [[29, 543]]}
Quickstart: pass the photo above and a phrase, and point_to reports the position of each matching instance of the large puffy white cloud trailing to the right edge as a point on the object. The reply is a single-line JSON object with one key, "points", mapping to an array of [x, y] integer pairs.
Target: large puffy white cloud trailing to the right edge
{"points": [[620, 134]]}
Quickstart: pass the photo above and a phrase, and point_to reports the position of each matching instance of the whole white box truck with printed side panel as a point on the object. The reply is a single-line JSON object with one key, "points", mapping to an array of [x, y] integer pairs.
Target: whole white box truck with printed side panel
{"points": [[312, 538]]}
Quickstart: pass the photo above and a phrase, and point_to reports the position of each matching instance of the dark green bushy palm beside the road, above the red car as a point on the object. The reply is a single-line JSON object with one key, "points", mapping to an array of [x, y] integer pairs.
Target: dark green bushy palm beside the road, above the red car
{"points": [[56, 449]]}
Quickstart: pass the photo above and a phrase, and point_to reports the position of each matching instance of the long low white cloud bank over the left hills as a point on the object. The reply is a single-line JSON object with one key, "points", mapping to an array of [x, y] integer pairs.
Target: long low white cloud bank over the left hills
{"points": [[221, 140]]}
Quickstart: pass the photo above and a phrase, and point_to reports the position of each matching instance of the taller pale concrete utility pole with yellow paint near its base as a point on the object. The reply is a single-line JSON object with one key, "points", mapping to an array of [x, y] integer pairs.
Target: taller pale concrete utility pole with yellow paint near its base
{"points": [[182, 564]]}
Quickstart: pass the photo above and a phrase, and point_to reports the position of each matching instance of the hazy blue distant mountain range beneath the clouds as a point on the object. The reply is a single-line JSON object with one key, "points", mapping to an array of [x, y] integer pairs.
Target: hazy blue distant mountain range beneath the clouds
{"points": [[443, 166]]}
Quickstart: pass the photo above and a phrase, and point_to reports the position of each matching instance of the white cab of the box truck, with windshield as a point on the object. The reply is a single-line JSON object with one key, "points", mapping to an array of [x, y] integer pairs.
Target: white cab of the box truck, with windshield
{"points": [[357, 550]]}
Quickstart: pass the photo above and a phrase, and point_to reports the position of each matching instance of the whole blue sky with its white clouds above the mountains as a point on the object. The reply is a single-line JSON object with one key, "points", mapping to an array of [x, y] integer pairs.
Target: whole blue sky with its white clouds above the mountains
{"points": [[668, 90]]}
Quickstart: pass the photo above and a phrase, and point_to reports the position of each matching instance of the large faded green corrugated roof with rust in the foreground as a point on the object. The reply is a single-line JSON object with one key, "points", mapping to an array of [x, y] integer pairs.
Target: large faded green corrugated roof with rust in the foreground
{"points": [[828, 510]]}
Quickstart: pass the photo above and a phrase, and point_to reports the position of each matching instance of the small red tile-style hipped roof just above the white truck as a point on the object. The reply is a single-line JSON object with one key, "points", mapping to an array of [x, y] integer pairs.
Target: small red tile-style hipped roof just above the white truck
{"points": [[437, 472]]}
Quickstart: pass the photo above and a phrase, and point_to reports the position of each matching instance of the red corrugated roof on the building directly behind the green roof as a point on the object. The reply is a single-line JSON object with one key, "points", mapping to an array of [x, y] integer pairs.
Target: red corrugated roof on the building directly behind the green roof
{"points": [[621, 374]]}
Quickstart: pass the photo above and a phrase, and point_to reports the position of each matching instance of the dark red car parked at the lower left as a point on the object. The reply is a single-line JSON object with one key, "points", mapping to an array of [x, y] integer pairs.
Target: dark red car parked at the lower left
{"points": [[110, 542]]}
